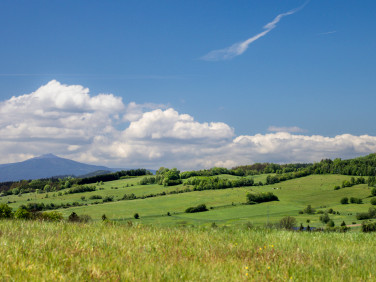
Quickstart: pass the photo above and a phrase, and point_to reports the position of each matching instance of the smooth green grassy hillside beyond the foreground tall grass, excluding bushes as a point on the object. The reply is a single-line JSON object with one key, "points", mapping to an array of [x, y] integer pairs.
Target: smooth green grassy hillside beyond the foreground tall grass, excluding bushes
{"points": [[294, 195]]}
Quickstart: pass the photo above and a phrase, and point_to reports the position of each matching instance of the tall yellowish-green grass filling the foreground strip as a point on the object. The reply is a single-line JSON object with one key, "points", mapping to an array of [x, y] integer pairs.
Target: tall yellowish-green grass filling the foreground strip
{"points": [[32, 250]]}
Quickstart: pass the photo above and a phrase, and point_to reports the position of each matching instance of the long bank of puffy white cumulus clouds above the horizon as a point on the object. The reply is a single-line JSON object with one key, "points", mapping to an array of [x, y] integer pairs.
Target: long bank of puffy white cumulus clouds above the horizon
{"points": [[68, 121]]}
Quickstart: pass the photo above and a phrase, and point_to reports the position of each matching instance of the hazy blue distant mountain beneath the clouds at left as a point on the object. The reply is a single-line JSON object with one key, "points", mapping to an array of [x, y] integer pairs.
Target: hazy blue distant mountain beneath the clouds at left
{"points": [[46, 166]]}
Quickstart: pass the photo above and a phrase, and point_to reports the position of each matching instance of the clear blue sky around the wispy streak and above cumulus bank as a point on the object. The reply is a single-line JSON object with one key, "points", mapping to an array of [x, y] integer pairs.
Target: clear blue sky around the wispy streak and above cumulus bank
{"points": [[312, 74]]}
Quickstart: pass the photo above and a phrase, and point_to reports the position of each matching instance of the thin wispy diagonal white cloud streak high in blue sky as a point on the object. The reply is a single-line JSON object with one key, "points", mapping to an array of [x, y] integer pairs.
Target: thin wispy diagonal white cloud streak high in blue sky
{"points": [[240, 47]]}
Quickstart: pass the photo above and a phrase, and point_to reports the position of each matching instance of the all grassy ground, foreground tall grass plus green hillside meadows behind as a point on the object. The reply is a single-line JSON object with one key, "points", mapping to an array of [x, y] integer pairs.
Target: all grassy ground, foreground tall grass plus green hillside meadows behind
{"points": [[229, 242]]}
